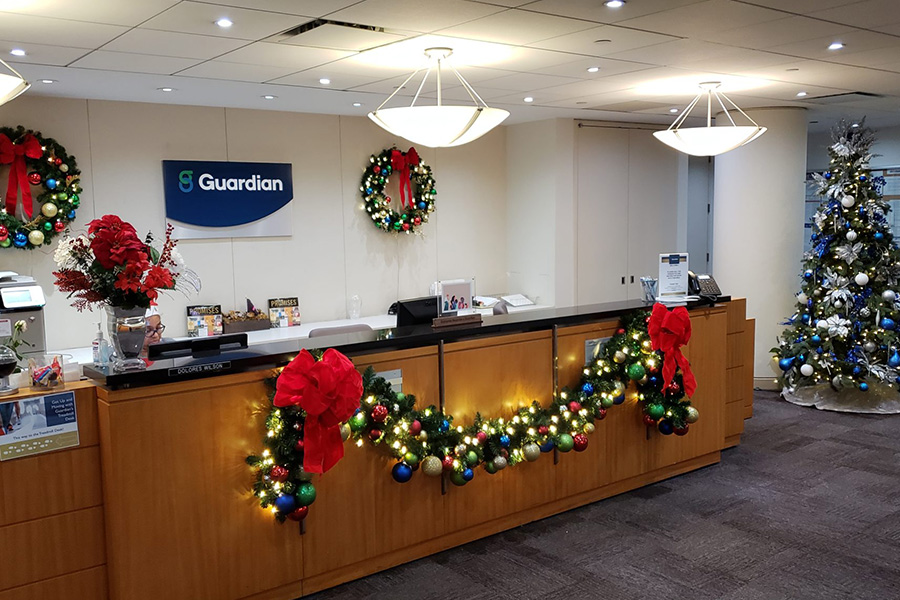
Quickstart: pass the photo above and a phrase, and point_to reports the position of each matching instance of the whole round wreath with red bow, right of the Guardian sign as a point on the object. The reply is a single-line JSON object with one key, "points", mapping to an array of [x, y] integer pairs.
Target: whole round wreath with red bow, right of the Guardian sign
{"points": [[417, 190]]}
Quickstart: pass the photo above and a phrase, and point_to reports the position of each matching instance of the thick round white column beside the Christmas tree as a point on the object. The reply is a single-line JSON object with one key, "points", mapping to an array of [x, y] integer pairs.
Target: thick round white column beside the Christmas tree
{"points": [[758, 224]]}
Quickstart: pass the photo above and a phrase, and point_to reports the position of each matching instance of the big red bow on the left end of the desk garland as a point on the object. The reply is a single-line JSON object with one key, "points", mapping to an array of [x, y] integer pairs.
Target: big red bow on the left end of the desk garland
{"points": [[329, 391]]}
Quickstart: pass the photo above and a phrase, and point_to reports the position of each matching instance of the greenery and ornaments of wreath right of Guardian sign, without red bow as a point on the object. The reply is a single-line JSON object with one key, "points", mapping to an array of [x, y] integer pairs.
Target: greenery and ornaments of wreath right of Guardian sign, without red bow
{"points": [[379, 206]]}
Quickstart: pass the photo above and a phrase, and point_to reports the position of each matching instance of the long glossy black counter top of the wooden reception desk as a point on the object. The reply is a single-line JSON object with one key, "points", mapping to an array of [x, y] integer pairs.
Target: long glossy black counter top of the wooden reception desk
{"points": [[274, 354]]}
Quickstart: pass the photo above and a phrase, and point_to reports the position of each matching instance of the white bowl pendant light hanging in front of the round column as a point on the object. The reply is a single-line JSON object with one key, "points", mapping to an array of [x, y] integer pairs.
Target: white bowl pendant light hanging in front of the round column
{"points": [[709, 140]]}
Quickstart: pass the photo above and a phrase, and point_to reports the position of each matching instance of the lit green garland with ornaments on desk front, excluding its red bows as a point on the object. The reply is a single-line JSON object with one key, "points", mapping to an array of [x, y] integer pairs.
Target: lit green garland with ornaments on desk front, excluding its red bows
{"points": [[427, 438]]}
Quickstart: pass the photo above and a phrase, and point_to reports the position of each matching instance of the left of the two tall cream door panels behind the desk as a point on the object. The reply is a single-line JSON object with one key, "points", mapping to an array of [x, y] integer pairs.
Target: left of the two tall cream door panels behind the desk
{"points": [[602, 212]]}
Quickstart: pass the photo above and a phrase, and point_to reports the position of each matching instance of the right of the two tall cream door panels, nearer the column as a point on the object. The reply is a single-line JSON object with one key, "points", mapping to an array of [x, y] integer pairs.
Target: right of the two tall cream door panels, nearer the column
{"points": [[652, 206]]}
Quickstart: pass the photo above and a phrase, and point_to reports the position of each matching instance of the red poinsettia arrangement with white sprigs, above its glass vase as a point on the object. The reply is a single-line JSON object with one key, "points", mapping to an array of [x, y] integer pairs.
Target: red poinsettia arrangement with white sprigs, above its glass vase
{"points": [[112, 266]]}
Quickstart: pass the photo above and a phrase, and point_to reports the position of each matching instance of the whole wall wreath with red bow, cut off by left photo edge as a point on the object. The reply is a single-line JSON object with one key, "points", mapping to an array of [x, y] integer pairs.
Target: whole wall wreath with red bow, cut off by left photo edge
{"points": [[36, 161]]}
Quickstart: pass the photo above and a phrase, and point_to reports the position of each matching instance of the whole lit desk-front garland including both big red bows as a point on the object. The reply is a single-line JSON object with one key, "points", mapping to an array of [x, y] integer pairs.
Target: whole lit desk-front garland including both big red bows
{"points": [[320, 404]]}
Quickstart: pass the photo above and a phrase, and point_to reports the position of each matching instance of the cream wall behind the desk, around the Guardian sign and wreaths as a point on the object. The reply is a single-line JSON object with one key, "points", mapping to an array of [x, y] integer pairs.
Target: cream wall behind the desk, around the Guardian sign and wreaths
{"points": [[334, 251]]}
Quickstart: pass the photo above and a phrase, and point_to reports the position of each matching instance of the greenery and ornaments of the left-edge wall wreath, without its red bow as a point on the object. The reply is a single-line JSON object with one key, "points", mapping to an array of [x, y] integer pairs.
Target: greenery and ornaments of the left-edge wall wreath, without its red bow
{"points": [[58, 175]]}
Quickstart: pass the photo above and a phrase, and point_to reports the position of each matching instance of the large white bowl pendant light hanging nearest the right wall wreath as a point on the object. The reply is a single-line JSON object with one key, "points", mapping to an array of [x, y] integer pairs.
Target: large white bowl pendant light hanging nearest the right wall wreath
{"points": [[441, 125]]}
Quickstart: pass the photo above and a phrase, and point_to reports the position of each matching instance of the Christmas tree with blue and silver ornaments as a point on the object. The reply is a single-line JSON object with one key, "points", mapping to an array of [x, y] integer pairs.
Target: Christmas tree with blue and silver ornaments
{"points": [[844, 331]]}
